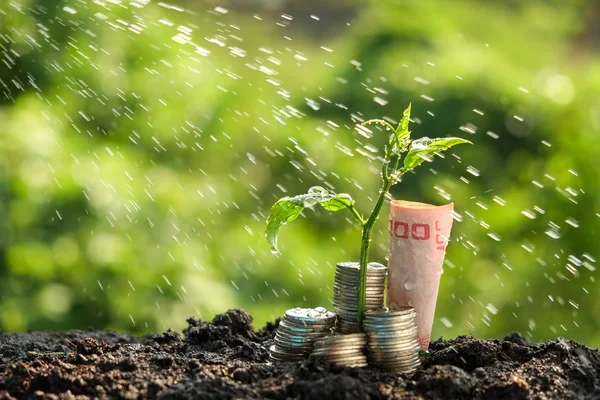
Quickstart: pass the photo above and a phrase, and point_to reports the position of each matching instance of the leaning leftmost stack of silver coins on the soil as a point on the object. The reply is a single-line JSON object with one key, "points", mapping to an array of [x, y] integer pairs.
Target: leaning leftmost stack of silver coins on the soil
{"points": [[297, 331]]}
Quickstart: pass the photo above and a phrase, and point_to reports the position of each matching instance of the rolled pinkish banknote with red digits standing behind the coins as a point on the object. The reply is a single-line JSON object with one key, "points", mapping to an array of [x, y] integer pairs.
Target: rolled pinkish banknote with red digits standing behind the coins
{"points": [[419, 234]]}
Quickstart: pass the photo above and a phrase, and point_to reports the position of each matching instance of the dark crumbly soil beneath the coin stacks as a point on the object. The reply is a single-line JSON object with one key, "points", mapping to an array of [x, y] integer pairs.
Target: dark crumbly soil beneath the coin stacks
{"points": [[226, 359]]}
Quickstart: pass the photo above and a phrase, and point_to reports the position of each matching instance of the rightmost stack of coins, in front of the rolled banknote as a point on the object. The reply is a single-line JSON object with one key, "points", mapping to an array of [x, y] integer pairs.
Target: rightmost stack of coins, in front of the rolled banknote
{"points": [[392, 339]]}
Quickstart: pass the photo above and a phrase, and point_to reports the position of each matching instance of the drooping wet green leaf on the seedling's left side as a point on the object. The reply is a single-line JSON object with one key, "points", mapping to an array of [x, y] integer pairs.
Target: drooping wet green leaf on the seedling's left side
{"points": [[289, 208]]}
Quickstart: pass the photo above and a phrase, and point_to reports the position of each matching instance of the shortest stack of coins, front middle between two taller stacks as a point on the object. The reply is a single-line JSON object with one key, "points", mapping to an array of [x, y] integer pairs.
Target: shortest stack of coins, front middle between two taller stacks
{"points": [[343, 350]]}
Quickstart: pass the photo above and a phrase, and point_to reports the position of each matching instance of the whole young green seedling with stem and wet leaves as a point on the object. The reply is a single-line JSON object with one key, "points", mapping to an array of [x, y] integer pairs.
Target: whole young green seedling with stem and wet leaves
{"points": [[402, 154]]}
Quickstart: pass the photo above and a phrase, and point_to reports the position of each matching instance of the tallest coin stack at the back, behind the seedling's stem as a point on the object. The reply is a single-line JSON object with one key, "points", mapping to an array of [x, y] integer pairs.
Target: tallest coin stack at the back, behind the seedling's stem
{"points": [[345, 293]]}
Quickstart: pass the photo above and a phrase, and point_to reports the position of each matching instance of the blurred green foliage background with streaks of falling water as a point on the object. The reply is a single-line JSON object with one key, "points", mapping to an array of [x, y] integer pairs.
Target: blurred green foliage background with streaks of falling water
{"points": [[142, 144]]}
